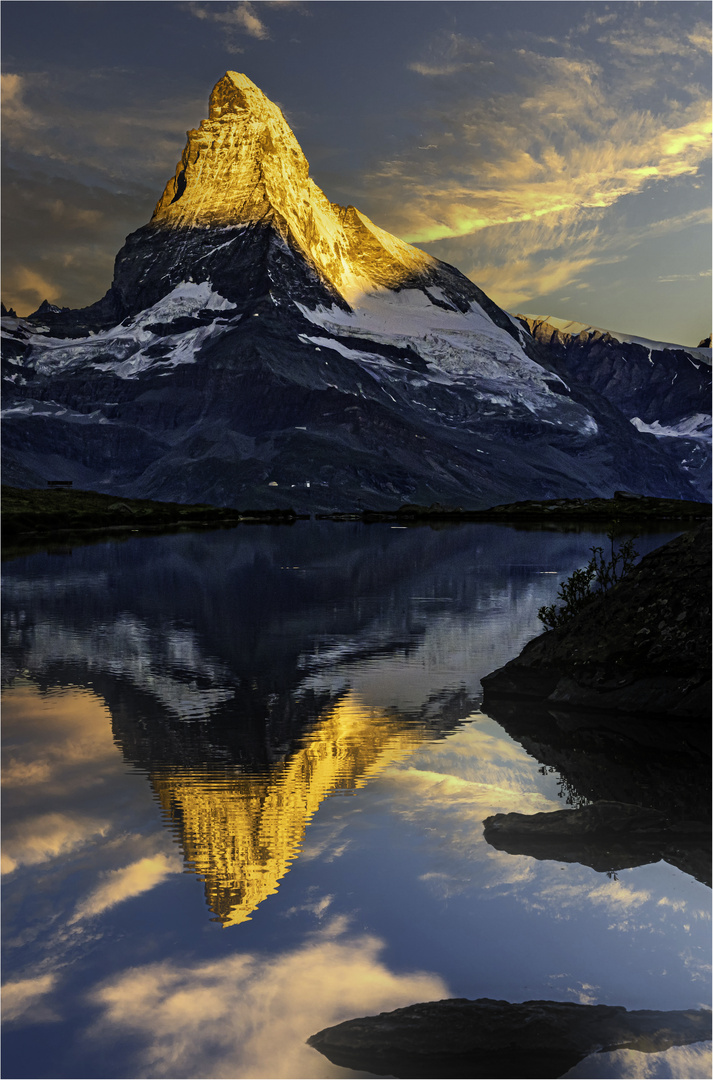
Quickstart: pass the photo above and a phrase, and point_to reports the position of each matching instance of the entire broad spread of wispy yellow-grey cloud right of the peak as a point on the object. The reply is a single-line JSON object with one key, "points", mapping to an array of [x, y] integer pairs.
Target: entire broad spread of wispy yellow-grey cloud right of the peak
{"points": [[537, 172]]}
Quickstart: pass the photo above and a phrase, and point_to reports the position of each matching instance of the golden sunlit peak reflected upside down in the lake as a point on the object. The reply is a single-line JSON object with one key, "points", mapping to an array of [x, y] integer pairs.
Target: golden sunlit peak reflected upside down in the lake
{"points": [[240, 831]]}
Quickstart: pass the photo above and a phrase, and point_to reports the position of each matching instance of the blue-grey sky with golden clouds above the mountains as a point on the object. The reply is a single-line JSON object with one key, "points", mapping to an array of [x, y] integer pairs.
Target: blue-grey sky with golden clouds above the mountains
{"points": [[559, 154]]}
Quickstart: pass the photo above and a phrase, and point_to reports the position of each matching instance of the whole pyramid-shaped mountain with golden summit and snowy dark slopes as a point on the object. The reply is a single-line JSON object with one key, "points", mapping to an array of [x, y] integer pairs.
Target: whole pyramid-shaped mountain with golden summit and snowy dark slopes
{"points": [[261, 346]]}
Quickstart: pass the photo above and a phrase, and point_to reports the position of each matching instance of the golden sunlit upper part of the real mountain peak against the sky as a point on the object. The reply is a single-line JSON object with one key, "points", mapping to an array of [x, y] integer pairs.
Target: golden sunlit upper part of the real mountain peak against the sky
{"points": [[244, 166]]}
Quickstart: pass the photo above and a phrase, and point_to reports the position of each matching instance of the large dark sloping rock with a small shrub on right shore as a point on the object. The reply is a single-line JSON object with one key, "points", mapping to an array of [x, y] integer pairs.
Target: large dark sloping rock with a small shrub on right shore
{"points": [[643, 647]]}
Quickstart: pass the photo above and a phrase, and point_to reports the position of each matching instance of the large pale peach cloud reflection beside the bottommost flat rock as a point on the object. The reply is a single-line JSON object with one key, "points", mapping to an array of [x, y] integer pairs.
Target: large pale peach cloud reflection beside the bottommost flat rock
{"points": [[250, 1015]]}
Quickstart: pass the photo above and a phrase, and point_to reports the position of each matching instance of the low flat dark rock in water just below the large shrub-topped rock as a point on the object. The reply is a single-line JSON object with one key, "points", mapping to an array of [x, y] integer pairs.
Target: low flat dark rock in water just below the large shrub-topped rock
{"points": [[607, 836]]}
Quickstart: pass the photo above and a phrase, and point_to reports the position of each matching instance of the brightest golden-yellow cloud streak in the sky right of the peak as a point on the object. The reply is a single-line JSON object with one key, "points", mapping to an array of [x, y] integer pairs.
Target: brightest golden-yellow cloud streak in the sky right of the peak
{"points": [[526, 179]]}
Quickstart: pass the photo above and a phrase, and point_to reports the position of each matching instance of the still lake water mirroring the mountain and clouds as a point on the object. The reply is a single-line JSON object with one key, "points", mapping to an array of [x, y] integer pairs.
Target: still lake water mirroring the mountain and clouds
{"points": [[246, 775]]}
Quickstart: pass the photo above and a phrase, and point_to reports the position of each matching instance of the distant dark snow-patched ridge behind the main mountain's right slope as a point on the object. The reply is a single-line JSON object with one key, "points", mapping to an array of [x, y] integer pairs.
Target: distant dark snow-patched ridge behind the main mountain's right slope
{"points": [[661, 388]]}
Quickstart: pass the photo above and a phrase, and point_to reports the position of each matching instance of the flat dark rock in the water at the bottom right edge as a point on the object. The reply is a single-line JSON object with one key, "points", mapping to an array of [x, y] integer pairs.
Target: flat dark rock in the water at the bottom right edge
{"points": [[499, 1039]]}
